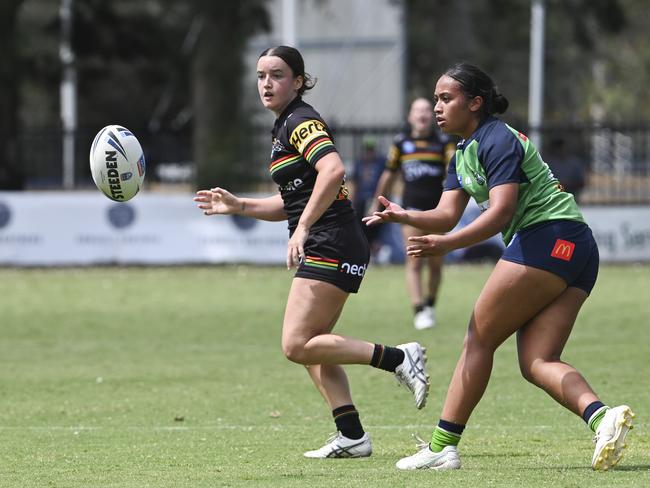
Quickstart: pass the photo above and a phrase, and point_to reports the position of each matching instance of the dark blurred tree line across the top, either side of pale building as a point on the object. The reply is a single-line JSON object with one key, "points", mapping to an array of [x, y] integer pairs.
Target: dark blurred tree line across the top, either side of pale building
{"points": [[177, 66]]}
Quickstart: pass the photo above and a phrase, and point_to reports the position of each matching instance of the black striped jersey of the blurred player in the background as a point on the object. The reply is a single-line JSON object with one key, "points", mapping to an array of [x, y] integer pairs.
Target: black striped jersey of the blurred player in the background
{"points": [[422, 163]]}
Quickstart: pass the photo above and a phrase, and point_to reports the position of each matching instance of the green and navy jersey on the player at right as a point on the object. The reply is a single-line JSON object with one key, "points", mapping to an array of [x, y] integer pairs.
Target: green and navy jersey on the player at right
{"points": [[496, 154]]}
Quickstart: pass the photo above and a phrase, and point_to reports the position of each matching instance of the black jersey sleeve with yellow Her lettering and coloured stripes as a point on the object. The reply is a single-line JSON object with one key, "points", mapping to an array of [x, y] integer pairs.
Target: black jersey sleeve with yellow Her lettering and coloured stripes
{"points": [[310, 137]]}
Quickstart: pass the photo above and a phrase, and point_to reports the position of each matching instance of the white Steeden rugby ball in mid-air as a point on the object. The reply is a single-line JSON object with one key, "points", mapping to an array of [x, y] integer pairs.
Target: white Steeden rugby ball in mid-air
{"points": [[117, 163]]}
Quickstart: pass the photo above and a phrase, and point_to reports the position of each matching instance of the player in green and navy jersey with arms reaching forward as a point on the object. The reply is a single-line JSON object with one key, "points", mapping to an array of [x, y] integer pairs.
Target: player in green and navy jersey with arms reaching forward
{"points": [[537, 287]]}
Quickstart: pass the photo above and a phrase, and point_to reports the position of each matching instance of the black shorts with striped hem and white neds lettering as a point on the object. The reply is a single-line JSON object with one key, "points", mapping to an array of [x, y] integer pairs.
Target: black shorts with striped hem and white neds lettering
{"points": [[338, 255]]}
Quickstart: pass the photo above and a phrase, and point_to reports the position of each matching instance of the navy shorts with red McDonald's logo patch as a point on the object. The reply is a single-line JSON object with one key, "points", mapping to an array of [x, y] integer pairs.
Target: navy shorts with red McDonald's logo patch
{"points": [[563, 247]]}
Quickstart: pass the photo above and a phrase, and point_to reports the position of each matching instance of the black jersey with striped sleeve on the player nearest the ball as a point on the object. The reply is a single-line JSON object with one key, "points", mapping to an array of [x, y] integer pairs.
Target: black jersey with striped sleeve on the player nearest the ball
{"points": [[300, 139]]}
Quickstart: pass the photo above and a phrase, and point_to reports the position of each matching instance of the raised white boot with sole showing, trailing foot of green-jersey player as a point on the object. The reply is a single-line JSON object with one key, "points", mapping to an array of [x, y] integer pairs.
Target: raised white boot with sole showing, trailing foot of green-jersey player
{"points": [[610, 437]]}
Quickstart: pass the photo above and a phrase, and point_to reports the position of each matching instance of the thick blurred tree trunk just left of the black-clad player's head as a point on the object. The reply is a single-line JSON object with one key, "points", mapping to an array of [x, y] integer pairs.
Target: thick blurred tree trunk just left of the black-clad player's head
{"points": [[220, 126]]}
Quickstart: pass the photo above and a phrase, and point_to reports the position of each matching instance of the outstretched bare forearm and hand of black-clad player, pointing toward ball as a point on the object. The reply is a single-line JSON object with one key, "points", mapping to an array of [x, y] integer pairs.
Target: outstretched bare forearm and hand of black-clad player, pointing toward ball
{"points": [[218, 201]]}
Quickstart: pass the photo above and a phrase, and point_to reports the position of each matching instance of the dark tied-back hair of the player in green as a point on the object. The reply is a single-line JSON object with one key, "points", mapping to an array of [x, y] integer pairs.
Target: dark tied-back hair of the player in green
{"points": [[476, 83]]}
